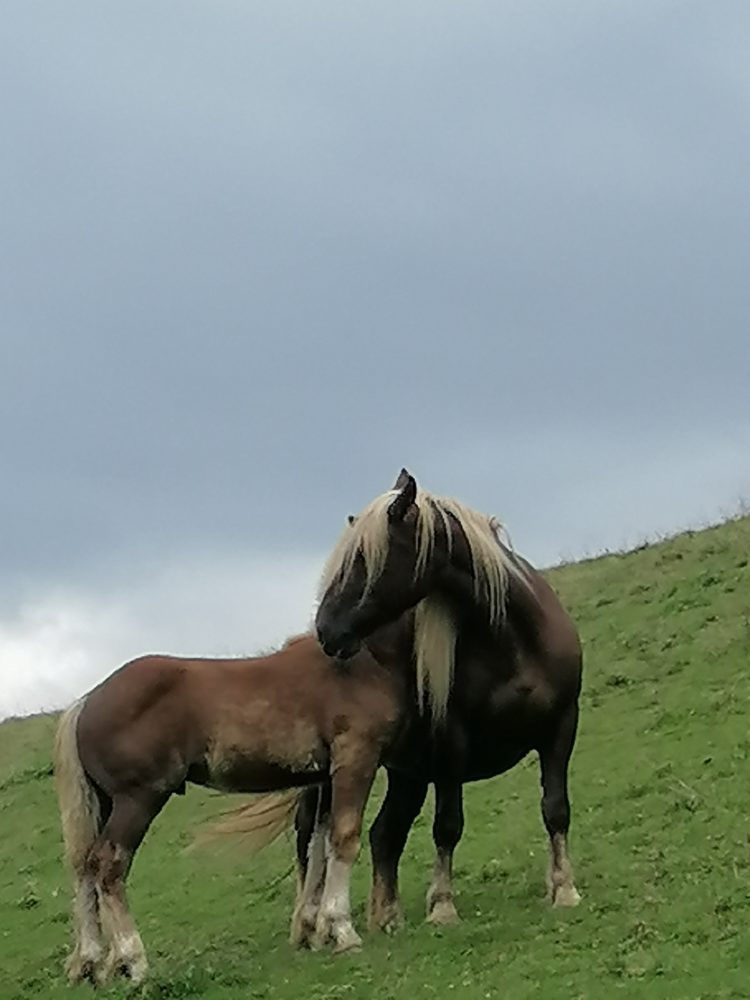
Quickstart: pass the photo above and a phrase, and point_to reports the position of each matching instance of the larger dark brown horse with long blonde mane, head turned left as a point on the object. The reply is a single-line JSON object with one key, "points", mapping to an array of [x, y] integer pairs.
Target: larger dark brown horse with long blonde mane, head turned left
{"points": [[498, 673]]}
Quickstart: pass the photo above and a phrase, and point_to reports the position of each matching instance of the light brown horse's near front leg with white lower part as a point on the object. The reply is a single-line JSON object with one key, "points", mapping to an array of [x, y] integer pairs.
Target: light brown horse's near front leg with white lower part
{"points": [[353, 767]]}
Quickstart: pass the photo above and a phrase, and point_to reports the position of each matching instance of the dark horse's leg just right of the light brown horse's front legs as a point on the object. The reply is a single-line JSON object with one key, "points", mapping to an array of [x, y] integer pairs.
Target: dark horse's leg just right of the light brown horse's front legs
{"points": [[402, 804]]}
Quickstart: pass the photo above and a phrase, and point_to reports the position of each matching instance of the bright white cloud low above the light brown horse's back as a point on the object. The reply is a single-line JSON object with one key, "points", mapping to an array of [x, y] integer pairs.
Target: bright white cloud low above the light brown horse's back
{"points": [[62, 642]]}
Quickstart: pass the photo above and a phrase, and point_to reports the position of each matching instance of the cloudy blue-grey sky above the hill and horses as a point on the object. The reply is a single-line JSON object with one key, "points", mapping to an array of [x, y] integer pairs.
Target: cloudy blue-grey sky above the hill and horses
{"points": [[256, 257]]}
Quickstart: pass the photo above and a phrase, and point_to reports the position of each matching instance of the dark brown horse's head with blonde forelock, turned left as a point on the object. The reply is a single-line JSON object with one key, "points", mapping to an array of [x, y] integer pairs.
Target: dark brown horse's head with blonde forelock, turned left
{"points": [[388, 559]]}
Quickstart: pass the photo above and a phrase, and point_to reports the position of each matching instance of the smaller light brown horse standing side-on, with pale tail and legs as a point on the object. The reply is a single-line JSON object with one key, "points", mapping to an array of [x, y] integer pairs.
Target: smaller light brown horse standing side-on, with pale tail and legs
{"points": [[284, 721]]}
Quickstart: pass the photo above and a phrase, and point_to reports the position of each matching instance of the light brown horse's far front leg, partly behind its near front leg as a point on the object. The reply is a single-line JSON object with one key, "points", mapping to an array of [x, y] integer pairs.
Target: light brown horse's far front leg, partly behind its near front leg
{"points": [[313, 833]]}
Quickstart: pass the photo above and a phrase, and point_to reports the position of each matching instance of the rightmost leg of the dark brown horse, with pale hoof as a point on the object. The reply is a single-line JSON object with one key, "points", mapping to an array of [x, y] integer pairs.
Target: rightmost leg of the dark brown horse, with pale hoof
{"points": [[554, 757]]}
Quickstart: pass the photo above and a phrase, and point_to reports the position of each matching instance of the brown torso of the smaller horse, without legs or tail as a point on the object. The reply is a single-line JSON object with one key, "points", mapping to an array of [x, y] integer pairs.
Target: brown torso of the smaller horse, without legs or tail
{"points": [[229, 723]]}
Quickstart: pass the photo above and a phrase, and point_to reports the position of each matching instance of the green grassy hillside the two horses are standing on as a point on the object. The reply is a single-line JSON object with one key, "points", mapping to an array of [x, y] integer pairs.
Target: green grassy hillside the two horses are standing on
{"points": [[661, 839]]}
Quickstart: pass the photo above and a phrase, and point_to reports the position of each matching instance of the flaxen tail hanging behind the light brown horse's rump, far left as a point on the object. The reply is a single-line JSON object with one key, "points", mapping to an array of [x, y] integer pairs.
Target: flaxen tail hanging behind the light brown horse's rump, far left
{"points": [[80, 813]]}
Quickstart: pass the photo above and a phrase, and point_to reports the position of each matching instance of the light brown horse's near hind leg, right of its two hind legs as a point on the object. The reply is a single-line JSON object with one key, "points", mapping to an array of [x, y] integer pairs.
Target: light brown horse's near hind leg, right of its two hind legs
{"points": [[108, 864]]}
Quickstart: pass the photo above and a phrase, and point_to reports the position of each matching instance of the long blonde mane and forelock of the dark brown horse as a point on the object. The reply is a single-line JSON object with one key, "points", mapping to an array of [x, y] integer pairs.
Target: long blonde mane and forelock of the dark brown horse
{"points": [[435, 631]]}
